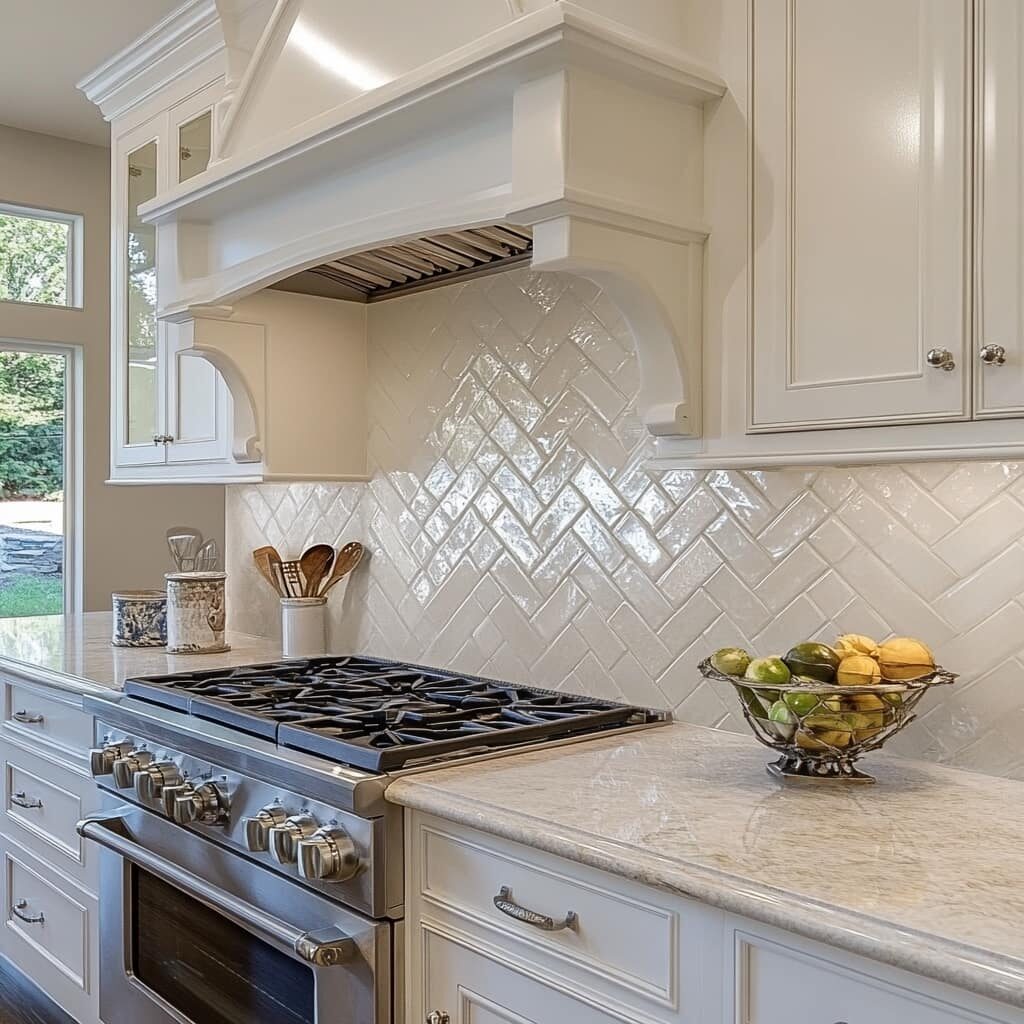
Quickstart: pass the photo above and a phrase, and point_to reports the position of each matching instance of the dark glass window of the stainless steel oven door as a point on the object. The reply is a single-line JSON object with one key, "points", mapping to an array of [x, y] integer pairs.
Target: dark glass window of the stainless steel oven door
{"points": [[207, 968]]}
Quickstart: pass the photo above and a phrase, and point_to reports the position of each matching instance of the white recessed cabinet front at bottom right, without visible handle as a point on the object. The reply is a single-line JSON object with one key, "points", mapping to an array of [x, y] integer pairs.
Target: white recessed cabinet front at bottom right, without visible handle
{"points": [[779, 986]]}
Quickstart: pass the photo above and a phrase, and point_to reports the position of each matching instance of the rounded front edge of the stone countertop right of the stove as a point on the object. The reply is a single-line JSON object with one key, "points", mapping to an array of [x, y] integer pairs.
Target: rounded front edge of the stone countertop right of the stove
{"points": [[970, 968]]}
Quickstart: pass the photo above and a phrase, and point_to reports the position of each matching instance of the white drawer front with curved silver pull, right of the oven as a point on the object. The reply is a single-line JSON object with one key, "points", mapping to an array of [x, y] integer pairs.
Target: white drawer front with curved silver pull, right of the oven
{"points": [[619, 935]]}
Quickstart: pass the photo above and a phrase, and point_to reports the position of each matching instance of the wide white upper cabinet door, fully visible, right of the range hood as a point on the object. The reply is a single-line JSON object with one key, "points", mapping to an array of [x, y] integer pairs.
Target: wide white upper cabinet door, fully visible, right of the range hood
{"points": [[861, 206]]}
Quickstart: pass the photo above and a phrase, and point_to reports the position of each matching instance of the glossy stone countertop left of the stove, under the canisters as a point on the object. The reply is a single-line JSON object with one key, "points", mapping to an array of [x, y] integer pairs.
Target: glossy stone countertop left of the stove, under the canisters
{"points": [[74, 653]]}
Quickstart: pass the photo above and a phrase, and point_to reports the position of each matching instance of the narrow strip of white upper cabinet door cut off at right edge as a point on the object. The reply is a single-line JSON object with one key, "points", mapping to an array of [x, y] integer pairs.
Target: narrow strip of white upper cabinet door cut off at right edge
{"points": [[1000, 387]]}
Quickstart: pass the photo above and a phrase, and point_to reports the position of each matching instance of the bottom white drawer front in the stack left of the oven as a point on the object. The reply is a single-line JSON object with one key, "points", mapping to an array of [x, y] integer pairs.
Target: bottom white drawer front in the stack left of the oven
{"points": [[47, 920]]}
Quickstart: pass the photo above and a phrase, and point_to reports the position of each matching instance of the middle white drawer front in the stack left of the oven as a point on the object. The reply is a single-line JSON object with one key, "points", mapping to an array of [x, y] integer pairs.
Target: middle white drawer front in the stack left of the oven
{"points": [[42, 803]]}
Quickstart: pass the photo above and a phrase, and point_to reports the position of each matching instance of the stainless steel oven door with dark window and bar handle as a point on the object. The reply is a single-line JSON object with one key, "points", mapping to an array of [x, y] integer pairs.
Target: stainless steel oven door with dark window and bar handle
{"points": [[192, 933]]}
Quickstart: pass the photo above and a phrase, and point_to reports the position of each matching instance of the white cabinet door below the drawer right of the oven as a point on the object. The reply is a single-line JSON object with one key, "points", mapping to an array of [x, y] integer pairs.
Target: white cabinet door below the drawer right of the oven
{"points": [[476, 990]]}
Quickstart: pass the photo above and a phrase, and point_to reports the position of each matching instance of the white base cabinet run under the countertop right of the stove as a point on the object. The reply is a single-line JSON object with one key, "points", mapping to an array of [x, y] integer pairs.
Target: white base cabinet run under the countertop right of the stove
{"points": [[633, 953]]}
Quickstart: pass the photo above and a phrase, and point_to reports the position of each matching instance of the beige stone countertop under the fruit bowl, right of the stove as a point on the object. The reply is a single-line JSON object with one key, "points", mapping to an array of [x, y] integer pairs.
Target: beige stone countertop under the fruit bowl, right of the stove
{"points": [[923, 871]]}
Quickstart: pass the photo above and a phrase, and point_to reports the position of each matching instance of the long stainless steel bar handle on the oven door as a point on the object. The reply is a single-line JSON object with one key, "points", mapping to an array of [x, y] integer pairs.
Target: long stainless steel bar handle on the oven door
{"points": [[326, 948]]}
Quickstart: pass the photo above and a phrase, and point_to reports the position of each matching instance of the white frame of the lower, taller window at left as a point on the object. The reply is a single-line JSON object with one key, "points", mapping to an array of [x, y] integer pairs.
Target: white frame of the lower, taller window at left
{"points": [[74, 460]]}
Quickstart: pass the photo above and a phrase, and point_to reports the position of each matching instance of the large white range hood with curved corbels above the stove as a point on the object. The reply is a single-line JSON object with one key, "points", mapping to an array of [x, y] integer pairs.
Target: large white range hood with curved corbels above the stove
{"points": [[364, 147]]}
